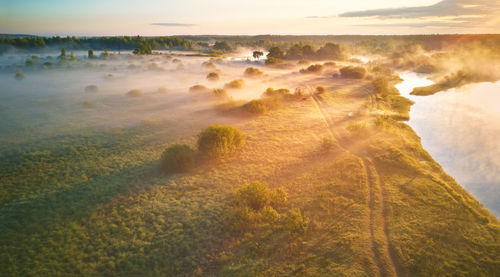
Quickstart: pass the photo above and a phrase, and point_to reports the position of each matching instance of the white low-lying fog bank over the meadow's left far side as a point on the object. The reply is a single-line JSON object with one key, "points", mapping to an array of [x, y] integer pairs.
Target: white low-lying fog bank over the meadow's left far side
{"points": [[128, 90]]}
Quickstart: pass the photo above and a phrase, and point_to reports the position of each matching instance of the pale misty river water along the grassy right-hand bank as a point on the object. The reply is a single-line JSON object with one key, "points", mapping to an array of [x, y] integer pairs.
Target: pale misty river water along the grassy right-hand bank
{"points": [[460, 128]]}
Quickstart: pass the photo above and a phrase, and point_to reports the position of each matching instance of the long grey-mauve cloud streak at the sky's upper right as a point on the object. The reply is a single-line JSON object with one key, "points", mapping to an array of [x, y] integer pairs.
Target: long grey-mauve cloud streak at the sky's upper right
{"points": [[442, 8]]}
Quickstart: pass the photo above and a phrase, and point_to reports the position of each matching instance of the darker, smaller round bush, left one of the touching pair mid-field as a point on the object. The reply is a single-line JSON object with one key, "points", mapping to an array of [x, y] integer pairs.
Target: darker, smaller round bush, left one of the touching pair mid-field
{"points": [[178, 158]]}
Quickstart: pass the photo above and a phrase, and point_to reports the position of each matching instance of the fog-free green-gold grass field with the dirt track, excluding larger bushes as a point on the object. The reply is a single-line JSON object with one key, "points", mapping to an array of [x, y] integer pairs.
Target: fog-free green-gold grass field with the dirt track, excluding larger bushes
{"points": [[94, 202]]}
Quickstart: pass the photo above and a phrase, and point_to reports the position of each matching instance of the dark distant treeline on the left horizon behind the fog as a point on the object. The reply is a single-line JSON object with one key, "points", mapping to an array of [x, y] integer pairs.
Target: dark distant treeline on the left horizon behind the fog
{"points": [[96, 43]]}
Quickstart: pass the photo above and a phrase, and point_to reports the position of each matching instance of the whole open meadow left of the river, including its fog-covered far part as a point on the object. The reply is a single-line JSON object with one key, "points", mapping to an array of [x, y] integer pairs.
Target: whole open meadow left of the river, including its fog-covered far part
{"points": [[83, 191]]}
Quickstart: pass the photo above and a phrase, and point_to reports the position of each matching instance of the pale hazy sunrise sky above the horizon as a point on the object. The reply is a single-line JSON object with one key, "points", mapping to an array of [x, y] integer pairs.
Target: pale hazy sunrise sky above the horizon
{"points": [[232, 17]]}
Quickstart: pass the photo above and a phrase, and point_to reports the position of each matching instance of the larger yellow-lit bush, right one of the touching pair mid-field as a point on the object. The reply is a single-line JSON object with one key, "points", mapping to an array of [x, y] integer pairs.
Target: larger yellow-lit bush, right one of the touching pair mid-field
{"points": [[217, 141]]}
